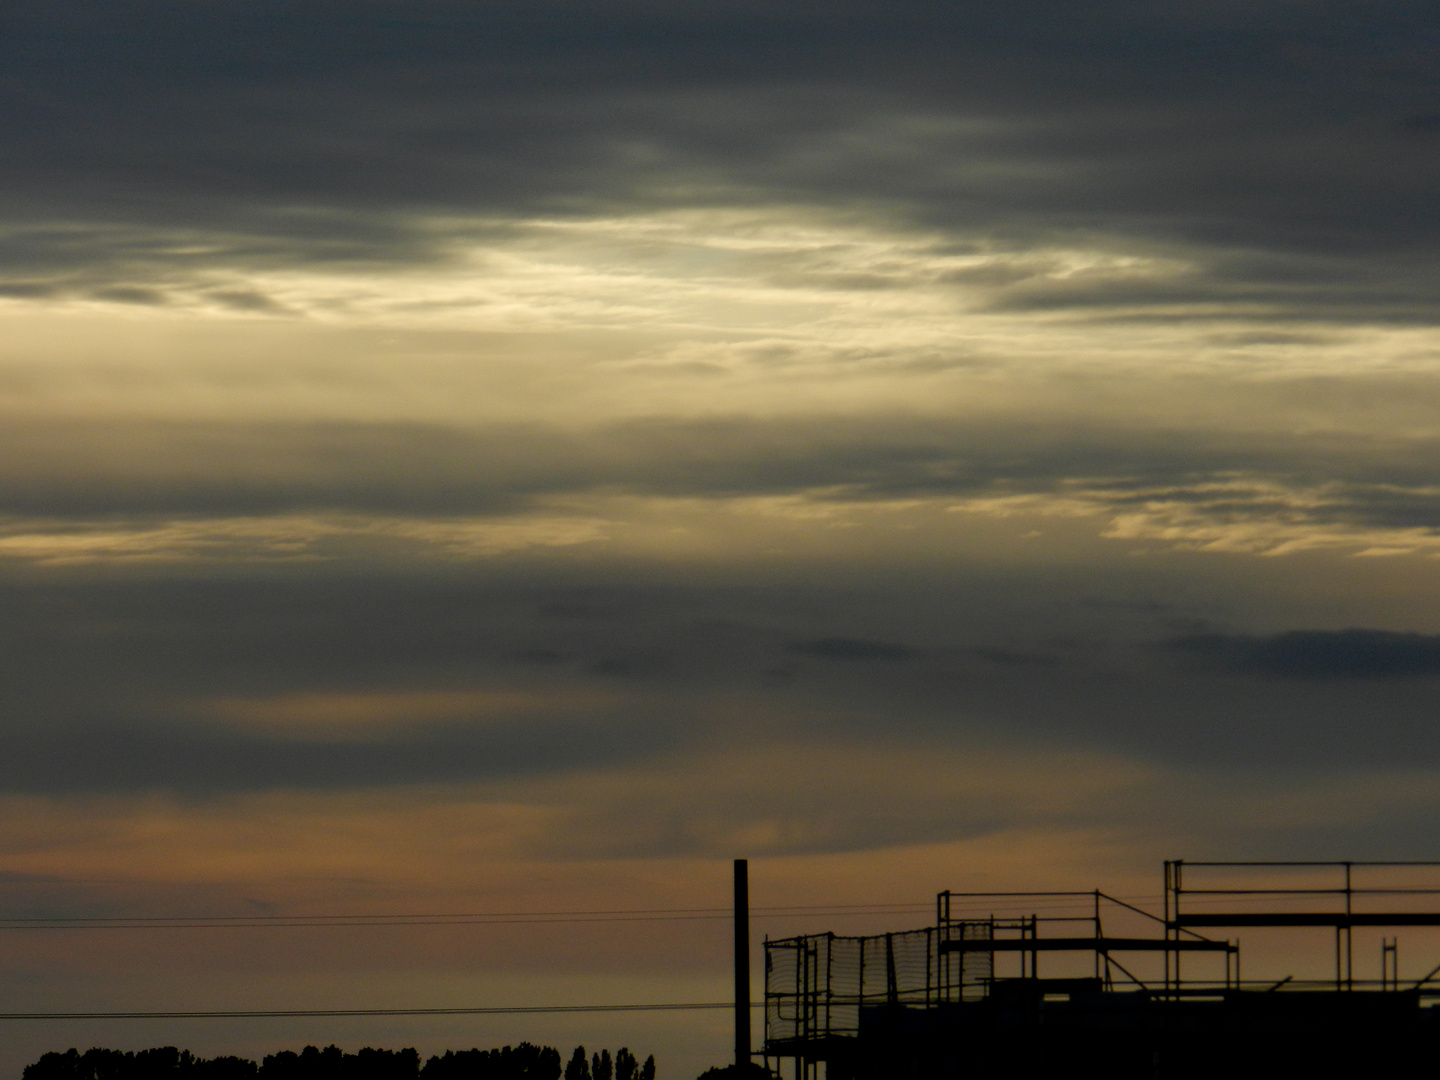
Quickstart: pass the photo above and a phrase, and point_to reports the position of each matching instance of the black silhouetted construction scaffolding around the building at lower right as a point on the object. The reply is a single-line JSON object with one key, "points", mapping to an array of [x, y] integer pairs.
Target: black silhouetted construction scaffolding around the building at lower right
{"points": [[938, 1003]]}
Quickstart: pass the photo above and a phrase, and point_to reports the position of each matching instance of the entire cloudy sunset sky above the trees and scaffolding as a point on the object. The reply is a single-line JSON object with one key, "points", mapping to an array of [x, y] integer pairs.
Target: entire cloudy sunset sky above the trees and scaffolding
{"points": [[483, 457]]}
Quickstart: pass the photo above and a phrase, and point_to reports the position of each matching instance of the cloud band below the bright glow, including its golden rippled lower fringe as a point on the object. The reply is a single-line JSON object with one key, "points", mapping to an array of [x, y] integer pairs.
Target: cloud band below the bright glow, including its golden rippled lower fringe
{"points": [[136, 492]]}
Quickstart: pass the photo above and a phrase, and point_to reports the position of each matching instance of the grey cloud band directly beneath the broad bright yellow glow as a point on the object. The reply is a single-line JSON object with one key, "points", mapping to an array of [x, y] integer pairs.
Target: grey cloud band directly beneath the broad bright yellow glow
{"points": [[94, 472]]}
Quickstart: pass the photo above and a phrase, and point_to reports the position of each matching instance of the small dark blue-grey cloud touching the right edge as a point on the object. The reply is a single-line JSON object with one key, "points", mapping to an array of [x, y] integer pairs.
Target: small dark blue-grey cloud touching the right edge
{"points": [[1323, 654]]}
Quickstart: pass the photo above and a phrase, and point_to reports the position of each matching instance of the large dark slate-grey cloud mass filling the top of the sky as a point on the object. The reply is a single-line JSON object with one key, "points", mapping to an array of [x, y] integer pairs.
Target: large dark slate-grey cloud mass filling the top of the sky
{"points": [[169, 136]]}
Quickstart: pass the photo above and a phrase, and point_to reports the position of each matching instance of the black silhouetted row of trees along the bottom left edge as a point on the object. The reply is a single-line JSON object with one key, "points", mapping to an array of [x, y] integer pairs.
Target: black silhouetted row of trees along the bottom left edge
{"points": [[525, 1062]]}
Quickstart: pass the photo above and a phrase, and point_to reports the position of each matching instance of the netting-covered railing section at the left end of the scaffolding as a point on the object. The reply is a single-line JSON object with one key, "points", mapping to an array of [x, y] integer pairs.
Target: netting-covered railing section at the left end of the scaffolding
{"points": [[816, 986]]}
